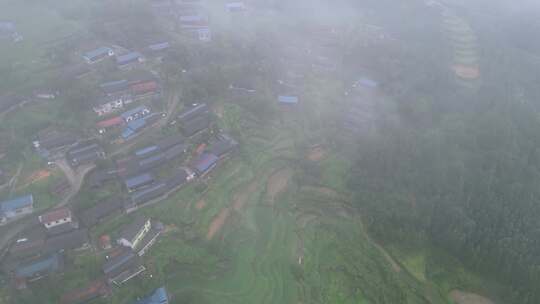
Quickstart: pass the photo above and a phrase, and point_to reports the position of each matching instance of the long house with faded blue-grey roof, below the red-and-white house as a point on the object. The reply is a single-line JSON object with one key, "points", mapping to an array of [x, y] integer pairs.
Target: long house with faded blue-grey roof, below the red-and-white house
{"points": [[36, 269]]}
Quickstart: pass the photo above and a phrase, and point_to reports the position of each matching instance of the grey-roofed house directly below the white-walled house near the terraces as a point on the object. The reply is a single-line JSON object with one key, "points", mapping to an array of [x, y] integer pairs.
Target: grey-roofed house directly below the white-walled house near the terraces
{"points": [[123, 266]]}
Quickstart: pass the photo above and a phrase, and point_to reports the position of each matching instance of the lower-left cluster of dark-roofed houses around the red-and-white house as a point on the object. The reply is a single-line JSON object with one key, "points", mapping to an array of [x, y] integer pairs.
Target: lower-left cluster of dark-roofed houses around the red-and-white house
{"points": [[40, 249]]}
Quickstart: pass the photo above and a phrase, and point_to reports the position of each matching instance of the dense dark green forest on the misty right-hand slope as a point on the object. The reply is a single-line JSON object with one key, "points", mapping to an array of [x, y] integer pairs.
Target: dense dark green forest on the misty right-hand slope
{"points": [[461, 169]]}
